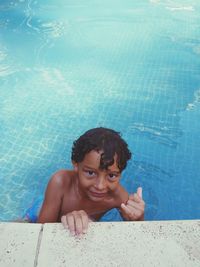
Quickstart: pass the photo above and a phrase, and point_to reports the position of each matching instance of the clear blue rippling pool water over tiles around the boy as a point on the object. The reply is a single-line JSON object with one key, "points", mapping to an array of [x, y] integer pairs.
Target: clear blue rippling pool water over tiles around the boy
{"points": [[68, 66]]}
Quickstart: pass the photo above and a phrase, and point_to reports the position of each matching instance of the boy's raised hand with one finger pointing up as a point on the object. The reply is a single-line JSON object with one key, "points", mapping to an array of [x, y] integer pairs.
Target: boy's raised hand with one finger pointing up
{"points": [[134, 208]]}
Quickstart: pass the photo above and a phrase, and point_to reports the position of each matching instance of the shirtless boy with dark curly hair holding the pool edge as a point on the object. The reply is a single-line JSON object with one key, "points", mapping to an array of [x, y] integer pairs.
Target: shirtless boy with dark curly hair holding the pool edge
{"points": [[85, 193]]}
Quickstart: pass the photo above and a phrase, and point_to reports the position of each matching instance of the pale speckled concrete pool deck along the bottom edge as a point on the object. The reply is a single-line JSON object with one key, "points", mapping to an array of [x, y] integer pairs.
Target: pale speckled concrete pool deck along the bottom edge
{"points": [[155, 243]]}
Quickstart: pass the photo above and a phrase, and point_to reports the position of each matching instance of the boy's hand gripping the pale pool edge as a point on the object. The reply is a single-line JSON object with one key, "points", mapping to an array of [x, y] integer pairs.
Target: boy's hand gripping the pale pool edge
{"points": [[76, 222]]}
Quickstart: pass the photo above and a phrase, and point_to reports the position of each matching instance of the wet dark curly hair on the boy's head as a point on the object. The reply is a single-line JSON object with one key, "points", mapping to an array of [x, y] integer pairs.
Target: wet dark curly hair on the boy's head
{"points": [[102, 139]]}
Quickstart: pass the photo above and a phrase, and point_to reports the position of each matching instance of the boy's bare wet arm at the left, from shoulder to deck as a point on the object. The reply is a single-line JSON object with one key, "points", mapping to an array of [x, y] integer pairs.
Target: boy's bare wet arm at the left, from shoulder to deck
{"points": [[53, 199]]}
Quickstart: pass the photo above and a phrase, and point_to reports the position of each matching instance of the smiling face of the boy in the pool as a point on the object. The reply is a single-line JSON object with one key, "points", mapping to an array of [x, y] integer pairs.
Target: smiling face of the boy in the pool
{"points": [[96, 183]]}
